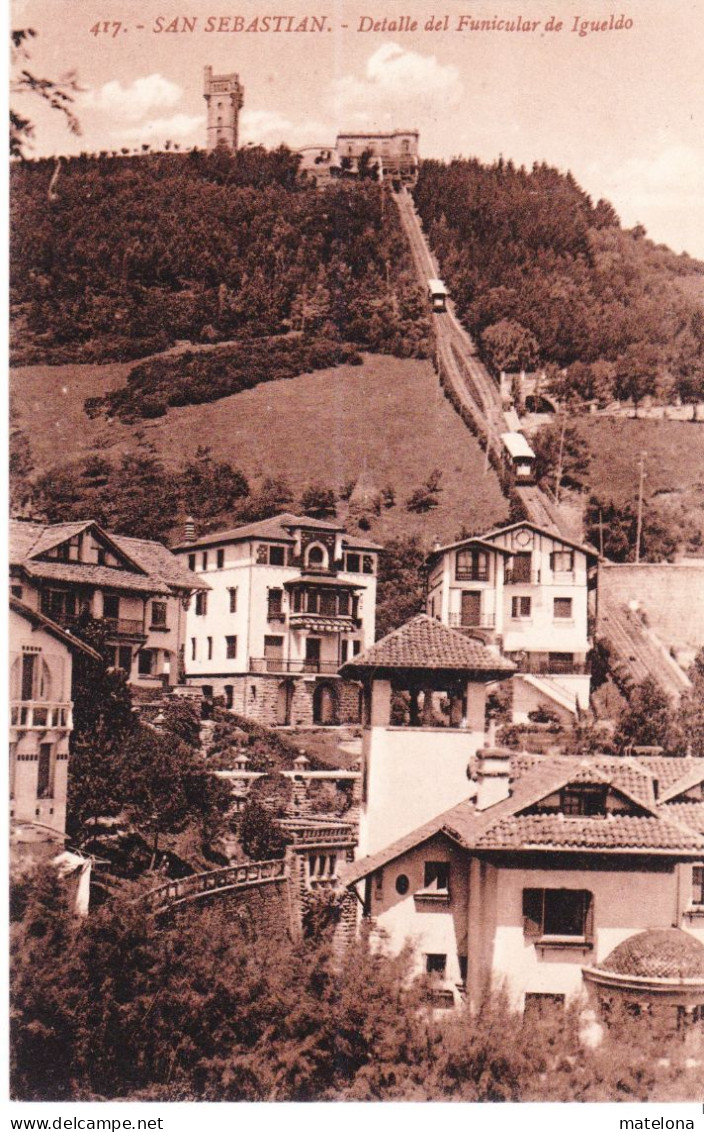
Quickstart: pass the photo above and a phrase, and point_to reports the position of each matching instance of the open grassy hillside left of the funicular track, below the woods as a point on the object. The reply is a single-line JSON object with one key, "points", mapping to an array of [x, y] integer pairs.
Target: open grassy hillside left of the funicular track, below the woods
{"points": [[388, 416]]}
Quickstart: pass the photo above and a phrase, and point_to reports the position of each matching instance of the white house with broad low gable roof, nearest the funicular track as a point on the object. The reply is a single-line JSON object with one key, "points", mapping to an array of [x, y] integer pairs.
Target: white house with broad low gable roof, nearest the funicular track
{"points": [[526, 590]]}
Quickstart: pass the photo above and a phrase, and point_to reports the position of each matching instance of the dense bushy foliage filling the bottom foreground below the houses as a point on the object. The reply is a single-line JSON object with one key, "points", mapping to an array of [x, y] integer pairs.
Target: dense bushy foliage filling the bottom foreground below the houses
{"points": [[115, 1008]]}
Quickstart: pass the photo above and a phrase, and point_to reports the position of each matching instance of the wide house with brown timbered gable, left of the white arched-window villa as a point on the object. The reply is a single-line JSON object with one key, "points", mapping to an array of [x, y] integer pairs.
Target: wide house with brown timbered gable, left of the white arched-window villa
{"points": [[136, 587]]}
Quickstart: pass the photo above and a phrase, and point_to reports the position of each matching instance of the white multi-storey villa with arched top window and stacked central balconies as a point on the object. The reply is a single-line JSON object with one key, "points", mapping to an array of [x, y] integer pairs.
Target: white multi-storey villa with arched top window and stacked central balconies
{"points": [[291, 599]]}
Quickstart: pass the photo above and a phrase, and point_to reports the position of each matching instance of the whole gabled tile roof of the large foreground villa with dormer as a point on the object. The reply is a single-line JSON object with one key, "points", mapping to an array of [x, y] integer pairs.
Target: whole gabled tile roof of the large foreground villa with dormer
{"points": [[506, 827]]}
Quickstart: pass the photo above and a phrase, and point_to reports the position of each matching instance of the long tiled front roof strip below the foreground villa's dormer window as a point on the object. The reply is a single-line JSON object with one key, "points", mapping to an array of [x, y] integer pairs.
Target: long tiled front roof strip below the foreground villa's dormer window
{"points": [[617, 831]]}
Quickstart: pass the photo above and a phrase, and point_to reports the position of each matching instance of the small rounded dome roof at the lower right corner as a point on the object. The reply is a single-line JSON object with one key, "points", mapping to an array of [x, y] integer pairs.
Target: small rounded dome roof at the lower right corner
{"points": [[664, 954]]}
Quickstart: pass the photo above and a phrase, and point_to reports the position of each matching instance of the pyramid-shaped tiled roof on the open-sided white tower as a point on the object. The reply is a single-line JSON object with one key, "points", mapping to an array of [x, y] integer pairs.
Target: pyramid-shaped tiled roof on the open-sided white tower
{"points": [[426, 644]]}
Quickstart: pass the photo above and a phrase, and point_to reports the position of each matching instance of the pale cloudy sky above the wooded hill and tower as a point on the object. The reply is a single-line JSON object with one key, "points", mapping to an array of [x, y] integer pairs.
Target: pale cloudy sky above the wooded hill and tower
{"points": [[622, 108]]}
